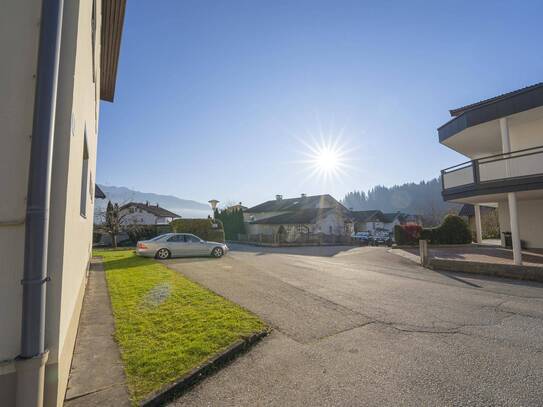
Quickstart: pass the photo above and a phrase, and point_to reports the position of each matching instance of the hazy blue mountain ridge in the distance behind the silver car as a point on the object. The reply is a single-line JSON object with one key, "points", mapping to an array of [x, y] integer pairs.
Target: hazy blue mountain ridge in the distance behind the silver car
{"points": [[184, 207]]}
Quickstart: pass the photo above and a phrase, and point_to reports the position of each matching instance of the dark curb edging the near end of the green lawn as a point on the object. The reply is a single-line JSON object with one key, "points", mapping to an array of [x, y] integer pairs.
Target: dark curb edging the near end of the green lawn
{"points": [[199, 373]]}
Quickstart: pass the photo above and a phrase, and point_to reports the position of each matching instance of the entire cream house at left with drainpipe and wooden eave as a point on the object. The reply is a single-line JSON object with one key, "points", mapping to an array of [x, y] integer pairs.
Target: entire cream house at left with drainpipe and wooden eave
{"points": [[59, 60]]}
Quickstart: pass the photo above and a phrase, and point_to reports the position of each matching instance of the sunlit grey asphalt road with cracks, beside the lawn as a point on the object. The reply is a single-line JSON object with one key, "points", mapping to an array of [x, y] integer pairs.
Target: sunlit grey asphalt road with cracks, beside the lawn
{"points": [[364, 327]]}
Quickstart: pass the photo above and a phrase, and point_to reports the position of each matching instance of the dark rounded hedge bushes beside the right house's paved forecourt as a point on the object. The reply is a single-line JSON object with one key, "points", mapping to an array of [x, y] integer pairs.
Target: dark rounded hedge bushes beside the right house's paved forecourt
{"points": [[453, 230]]}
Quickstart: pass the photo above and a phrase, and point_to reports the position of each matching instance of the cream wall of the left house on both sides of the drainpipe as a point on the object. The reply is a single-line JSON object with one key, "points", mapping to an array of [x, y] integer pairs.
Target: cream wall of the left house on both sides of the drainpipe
{"points": [[70, 234]]}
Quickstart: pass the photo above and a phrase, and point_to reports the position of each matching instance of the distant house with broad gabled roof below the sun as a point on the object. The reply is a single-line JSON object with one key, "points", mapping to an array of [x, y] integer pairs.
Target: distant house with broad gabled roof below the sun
{"points": [[296, 218]]}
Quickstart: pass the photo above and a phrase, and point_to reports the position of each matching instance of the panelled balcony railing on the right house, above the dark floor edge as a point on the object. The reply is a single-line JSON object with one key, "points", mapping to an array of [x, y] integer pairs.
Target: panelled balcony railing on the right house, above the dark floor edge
{"points": [[519, 164]]}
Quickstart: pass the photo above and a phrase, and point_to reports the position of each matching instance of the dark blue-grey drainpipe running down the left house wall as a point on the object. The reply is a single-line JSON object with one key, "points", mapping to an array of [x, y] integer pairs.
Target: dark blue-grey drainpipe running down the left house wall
{"points": [[30, 365]]}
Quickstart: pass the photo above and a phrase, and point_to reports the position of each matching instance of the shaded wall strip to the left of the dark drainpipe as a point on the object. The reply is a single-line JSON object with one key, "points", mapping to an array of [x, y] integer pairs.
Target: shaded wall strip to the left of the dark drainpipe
{"points": [[19, 37]]}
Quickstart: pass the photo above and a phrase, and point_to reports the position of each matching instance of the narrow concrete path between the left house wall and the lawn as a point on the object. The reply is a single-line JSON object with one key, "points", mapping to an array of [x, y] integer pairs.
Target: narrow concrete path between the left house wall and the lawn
{"points": [[97, 375]]}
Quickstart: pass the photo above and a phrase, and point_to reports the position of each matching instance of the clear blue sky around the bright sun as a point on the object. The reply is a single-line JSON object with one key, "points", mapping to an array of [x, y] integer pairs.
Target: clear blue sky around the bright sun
{"points": [[228, 99]]}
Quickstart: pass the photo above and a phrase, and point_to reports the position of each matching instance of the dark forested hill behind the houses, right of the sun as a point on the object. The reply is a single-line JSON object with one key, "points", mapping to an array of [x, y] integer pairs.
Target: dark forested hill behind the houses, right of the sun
{"points": [[423, 198]]}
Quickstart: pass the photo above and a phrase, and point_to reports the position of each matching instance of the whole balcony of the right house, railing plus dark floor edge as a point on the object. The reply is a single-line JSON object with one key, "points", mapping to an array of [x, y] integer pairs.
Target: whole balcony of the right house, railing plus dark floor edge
{"points": [[520, 170]]}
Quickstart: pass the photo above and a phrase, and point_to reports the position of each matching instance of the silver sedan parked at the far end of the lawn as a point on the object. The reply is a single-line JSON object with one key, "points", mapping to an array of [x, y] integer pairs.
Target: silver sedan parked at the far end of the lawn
{"points": [[179, 245]]}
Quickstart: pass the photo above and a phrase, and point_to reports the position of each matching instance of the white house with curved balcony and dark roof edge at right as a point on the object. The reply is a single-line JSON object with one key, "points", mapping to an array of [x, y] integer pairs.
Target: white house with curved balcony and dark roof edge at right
{"points": [[502, 138]]}
